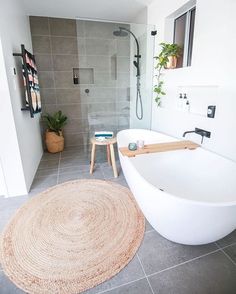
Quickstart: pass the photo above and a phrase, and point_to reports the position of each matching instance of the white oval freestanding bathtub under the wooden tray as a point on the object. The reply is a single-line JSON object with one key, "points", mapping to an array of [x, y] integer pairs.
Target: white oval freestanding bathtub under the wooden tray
{"points": [[188, 196]]}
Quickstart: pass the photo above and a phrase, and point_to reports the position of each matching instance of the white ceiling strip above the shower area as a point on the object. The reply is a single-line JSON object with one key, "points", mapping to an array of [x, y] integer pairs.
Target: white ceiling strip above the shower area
{"points": [[110, 10]]}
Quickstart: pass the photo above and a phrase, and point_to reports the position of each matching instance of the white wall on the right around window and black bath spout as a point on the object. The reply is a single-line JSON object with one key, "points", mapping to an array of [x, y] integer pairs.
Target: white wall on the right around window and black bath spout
{"points": [[210, 79]]}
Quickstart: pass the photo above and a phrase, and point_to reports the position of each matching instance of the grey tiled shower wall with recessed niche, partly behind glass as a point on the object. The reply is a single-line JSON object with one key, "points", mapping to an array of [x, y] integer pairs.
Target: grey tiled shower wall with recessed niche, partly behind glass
{"points": [[59, 46]]}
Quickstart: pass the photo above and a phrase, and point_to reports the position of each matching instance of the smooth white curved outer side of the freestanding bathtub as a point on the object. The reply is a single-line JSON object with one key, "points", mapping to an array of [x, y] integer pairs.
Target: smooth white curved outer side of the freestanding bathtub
{"points": [[177, 219]]}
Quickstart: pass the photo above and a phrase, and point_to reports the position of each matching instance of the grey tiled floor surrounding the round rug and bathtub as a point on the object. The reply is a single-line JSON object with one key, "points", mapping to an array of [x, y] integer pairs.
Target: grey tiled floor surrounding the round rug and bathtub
{"points": [[160, 266]]}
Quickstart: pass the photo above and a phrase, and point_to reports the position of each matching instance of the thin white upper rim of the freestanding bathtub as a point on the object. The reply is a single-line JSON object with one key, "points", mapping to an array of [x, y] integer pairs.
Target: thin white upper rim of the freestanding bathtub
{"points": [[190, 201]]}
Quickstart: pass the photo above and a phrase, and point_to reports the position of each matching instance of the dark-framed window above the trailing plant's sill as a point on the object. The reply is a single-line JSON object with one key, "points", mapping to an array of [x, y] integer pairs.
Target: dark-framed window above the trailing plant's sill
{"points": [[183, 36]]}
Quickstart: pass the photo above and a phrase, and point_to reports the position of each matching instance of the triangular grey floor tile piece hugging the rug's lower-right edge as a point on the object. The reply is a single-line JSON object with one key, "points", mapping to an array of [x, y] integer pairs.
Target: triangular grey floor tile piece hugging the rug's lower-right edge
{"points": [[131, 272]]}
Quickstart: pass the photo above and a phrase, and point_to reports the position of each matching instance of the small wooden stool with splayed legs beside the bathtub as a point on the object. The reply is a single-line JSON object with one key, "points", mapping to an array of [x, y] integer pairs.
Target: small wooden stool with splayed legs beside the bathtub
{"points": [[110, 153]]}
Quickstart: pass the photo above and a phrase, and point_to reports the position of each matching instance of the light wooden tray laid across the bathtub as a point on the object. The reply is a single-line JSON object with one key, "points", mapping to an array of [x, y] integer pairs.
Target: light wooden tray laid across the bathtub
{"points": [[160, 147]]}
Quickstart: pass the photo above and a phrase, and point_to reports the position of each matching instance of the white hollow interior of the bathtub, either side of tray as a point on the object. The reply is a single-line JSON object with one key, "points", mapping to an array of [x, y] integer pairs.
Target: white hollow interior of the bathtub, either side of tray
{"points": [[197, 175]]}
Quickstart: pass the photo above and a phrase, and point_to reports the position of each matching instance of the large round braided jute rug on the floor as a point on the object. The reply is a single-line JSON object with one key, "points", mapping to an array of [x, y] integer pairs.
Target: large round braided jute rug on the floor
{"points": [[71, 237]]}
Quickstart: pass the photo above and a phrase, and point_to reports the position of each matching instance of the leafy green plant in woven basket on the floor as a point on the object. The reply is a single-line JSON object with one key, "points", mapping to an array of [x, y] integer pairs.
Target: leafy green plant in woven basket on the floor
{"points": [[54, 138]]}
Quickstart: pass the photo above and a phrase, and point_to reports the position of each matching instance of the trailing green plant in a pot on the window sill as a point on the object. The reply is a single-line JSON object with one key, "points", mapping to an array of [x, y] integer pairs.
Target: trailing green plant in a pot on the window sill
{"points": [[167, 58]]}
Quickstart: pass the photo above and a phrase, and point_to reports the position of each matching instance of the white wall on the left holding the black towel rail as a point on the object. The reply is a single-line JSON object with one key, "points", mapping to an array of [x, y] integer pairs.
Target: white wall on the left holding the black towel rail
{"points": [[21, 147]]}
